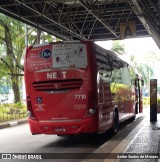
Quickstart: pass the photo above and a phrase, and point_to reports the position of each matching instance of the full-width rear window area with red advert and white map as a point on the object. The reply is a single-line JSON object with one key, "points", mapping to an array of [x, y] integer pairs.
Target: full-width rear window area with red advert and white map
{"points": [[57, 56]]}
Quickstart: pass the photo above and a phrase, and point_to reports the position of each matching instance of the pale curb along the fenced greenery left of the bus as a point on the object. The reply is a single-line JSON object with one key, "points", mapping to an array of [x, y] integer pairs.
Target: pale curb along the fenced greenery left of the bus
{"points": [[13, 123]]}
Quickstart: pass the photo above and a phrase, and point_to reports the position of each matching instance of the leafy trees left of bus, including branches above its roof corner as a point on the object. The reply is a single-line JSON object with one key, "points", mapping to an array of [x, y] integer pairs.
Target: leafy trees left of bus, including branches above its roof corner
{"points": [[12, 50]]}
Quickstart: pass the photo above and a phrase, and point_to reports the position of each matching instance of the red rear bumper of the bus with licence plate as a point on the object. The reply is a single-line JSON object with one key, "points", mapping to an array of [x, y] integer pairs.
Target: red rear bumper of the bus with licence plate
{"points": [[88, 125]]}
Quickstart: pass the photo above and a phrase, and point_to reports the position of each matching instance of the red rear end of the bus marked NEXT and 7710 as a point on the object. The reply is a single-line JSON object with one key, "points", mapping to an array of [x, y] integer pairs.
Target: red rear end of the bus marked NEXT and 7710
{"points": [[60, 95]]}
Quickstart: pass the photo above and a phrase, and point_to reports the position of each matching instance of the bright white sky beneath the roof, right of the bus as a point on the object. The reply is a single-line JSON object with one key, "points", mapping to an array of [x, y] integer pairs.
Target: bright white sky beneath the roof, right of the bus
{"points": [[139, 47]]}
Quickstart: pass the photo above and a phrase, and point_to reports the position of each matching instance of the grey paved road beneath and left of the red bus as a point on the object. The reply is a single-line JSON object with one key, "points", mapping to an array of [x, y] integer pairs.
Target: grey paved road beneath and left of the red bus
{"points": [[18, 139]]}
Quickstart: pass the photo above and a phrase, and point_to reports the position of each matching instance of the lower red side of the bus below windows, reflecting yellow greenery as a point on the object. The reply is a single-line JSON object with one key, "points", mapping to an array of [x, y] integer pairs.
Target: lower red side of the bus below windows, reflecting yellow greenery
{"points": [[112, 96]]}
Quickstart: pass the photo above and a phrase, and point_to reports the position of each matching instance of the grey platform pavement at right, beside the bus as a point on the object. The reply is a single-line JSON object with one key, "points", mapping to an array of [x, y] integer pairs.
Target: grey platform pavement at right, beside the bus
{"points": [[142, 144]]}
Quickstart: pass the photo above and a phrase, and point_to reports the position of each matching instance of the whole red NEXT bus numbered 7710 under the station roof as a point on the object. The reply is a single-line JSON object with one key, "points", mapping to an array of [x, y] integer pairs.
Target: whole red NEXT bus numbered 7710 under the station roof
{"points": [[78, 87]]}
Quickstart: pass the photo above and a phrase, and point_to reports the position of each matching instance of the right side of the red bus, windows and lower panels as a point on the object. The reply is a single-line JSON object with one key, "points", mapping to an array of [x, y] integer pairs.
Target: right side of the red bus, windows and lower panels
{"points": [[114, 88]]}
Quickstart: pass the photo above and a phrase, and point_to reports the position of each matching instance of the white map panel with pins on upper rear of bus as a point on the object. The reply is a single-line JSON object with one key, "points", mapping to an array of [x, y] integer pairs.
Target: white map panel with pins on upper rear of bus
{"points": [[69, 56]]}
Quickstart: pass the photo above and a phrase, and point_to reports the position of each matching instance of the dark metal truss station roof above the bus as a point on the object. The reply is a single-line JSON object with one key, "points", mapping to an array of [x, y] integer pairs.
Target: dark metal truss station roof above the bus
{"points": [[88, 19]]}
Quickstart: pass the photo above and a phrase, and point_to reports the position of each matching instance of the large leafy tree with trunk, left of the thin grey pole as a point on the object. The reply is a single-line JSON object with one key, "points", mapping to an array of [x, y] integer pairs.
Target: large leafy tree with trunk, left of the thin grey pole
{"points": [[12, 41]]}
